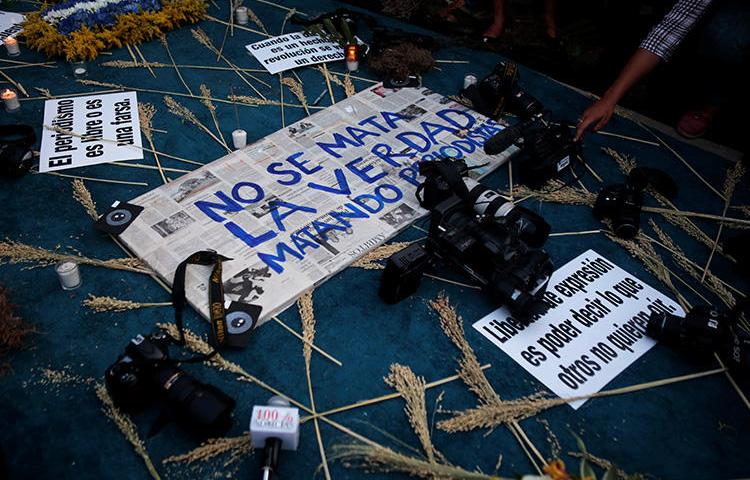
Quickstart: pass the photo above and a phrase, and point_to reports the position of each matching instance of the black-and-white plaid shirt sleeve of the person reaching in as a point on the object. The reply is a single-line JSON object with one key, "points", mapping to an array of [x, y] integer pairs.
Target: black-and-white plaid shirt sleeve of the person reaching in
{"points": [[667, 35]]}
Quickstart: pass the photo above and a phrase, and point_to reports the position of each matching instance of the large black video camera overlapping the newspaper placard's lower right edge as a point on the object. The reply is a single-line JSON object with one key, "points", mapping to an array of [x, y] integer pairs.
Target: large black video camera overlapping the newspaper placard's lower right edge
{"points": [[494, 242]]}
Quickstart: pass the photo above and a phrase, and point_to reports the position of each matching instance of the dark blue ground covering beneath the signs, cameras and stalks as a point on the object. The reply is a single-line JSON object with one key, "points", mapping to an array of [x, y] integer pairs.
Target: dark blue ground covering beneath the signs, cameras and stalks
{"points": [[693, 430]]}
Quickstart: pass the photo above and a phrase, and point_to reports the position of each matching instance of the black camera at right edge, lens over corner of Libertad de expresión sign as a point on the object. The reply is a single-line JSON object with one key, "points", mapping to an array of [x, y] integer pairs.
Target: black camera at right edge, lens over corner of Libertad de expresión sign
{"points": [[705, 330]]}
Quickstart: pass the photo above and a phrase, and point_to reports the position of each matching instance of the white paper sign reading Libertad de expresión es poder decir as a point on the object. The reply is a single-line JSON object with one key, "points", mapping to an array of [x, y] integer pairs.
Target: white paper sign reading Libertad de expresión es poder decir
{"points": [[594, 329]]}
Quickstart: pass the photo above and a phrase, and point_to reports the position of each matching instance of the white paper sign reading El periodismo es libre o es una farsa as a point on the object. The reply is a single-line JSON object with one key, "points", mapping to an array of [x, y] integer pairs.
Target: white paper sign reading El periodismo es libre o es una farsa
{"points": [[108, 126]]}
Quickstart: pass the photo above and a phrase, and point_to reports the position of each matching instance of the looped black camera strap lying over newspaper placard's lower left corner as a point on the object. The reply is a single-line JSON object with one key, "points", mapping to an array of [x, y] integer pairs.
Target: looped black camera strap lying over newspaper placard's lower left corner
{"points": [[215, 295]]}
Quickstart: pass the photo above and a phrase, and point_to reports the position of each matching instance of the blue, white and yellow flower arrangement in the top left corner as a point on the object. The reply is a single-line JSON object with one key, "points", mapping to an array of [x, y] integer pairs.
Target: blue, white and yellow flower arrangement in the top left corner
{"points": [[79, 30]]}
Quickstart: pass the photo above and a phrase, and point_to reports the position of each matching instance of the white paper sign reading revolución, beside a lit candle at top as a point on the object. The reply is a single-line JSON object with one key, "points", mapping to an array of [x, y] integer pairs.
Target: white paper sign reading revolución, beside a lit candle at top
{"points": [[294, 50]]}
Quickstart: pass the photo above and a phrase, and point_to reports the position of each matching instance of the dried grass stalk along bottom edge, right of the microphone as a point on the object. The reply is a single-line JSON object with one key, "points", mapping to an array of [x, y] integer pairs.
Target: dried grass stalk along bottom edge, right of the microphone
{"points": [[382, 459]]}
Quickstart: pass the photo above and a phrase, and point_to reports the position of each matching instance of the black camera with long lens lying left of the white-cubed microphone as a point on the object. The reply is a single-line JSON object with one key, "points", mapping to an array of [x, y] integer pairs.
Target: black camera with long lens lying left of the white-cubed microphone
{"points": [[145, 373]]}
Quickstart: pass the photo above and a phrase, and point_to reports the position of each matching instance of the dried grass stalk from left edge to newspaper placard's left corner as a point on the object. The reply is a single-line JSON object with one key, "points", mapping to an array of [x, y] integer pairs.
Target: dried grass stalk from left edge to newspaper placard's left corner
{"points": [[17, 252]]}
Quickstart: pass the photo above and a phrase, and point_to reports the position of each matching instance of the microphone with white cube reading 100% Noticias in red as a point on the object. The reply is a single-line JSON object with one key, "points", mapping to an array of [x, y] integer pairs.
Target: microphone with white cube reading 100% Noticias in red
{"points": [[275, 427]]}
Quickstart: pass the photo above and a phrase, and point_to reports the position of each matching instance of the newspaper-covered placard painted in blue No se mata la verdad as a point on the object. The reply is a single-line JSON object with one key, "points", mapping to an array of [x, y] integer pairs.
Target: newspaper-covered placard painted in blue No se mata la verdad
{"points": [[303, 203]]}
